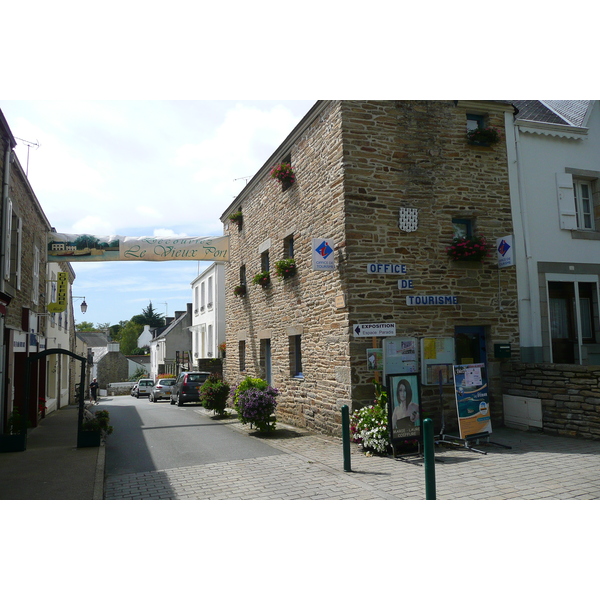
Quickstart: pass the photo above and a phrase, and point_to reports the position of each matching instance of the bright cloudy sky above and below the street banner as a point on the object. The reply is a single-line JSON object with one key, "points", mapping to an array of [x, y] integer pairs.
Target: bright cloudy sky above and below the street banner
{"points": [[143, 167]]}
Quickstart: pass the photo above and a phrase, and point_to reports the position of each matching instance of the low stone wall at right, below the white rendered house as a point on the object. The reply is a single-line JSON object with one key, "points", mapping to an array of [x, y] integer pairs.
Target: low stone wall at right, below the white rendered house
{"points": [[569, 394]]}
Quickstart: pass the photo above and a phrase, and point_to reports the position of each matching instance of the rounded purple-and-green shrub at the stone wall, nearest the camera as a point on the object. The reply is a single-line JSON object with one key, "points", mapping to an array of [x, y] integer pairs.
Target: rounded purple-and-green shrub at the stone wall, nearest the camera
{"points": [[255, 403]]}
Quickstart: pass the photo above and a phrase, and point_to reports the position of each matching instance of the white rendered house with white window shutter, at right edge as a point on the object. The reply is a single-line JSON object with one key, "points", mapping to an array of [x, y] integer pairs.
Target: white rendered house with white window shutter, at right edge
{"points": [[555, 191]]}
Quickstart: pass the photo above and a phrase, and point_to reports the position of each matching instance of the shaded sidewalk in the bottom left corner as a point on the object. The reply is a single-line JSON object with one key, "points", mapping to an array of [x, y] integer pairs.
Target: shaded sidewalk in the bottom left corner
{"points": [[52, 467]]}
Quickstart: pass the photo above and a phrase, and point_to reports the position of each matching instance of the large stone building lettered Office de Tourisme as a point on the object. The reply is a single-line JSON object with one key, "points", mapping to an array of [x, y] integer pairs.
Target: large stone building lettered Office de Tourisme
{"points": [[386, 183]]}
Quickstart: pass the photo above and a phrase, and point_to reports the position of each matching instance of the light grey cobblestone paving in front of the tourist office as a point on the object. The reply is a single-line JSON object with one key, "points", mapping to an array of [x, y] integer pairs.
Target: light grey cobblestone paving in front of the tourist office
{"points": [[537, 466]]}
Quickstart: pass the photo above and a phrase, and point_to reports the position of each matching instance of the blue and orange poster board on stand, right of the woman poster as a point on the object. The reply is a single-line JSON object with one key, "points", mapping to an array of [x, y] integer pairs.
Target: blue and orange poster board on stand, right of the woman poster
{"points": [[471, 389]]}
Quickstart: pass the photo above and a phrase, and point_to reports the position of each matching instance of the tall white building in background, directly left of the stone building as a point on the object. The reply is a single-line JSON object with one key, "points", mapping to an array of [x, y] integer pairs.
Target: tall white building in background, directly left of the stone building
{"points": [[208, 315]]}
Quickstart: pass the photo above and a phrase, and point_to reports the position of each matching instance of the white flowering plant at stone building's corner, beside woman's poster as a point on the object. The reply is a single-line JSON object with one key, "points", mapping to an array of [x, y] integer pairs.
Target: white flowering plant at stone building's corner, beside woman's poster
{"points": [[369, 425]]}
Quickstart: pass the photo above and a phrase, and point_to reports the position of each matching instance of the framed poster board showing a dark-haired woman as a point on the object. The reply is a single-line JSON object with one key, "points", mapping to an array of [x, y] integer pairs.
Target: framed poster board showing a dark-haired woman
{"points": [[404, 406]]}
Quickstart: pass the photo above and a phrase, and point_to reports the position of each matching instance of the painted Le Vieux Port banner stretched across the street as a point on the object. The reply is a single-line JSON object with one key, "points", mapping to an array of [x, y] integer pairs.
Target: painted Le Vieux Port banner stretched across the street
{"points": [[67, 247]]}
